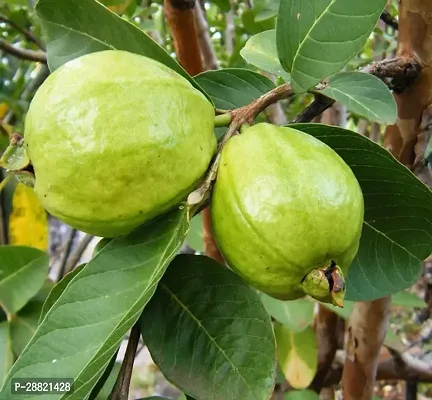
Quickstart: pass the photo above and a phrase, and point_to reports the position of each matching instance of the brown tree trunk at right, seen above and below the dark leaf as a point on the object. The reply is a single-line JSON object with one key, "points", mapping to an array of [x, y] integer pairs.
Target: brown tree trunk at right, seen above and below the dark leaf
{"points": [[369, 319]]}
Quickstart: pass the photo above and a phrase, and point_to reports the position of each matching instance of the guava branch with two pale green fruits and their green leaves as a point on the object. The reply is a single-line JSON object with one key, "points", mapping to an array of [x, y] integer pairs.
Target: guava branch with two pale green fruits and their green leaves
{"points": [[120, 142]]}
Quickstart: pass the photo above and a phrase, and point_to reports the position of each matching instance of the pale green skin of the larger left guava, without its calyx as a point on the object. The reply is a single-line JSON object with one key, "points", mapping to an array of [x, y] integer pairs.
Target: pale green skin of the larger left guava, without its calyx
{"points": [[115, 140]]}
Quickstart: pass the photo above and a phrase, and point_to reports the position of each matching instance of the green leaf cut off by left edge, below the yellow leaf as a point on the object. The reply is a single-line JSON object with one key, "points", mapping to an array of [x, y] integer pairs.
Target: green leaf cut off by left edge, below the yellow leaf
{"points": [[23, 271]]}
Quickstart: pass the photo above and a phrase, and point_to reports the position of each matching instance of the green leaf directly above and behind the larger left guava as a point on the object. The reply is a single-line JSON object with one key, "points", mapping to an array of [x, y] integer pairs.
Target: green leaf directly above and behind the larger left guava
{"points": [[76, 27]]}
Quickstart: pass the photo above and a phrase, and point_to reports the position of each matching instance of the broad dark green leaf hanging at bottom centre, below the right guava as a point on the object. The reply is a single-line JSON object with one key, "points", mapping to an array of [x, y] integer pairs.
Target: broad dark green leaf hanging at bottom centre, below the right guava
{"points": [[209, 333]]}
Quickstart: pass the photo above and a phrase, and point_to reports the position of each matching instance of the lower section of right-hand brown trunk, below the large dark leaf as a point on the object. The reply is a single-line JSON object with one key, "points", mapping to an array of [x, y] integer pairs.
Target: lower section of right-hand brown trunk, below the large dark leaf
{"points": [[366, 333]]}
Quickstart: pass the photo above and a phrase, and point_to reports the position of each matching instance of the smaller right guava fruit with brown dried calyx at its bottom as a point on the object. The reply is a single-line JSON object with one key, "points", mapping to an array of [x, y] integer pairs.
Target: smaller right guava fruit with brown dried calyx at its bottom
{"points": [[287, 213]]}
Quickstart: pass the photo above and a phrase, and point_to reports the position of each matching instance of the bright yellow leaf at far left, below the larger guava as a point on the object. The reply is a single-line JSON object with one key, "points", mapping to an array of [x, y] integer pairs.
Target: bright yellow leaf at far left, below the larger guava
{"points": [[28, 223]]}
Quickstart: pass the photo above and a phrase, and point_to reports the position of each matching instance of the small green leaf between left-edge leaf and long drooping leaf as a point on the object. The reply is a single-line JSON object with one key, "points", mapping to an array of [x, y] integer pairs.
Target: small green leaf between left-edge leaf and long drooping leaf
{"points": [[23, 325]]}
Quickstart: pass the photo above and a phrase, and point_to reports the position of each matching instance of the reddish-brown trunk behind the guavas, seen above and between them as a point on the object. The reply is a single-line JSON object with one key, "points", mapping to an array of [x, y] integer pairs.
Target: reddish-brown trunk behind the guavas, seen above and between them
{"points": [[181, 20]]}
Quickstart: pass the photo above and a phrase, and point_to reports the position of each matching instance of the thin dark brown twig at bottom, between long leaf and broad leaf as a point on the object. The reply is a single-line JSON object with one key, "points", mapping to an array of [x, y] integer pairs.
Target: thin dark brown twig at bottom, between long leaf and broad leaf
{"points": [[121, 388]]}
